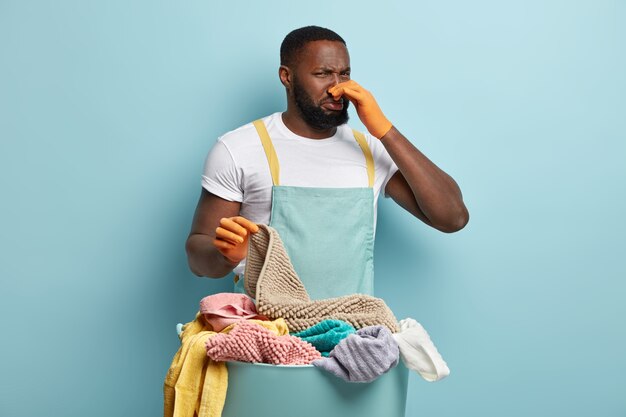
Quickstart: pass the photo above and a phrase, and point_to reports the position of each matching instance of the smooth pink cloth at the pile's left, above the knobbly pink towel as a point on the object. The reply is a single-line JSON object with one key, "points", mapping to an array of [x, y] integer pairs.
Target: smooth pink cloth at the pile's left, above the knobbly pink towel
{"points": [[223, 309]]}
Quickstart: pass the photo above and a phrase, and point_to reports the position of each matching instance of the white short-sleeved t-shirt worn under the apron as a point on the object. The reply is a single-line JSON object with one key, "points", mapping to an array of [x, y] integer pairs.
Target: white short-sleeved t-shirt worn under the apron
{"points": [[236, 168]]}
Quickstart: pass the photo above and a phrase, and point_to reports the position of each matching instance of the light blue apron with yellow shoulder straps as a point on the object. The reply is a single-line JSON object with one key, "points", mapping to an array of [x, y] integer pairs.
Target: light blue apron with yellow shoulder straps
{"points": [[327, 232]]}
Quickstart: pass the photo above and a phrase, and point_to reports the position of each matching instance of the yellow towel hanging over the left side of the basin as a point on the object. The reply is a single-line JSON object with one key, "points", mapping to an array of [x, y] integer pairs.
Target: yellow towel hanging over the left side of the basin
{"points": [[195, 384]]}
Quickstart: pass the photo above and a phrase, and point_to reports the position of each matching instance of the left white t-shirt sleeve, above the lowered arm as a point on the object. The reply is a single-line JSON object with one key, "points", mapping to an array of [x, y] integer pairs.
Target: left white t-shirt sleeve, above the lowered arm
{"points": [[221, 175]]}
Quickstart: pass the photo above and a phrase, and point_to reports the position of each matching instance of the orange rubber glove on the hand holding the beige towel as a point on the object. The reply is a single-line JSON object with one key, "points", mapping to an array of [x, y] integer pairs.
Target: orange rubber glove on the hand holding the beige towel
{"points": [[231, 238]]}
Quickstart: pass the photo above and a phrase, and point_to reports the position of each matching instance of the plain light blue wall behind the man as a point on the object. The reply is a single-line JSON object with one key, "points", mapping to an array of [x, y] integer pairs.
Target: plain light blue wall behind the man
{"points": [[107, 110]]}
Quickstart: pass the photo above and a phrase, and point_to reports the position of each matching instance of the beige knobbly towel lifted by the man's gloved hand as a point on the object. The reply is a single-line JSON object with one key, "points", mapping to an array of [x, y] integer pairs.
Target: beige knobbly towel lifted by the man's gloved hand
{"points": [[272, 281]]}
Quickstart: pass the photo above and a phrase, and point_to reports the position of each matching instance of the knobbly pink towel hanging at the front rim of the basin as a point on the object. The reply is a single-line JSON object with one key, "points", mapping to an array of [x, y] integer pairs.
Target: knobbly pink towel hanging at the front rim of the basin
{"points": [[249, 342]]}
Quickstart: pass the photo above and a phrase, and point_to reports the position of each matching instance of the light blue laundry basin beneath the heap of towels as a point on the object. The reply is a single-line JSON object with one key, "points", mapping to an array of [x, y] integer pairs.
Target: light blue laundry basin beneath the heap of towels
{"points": [[262, 390]]}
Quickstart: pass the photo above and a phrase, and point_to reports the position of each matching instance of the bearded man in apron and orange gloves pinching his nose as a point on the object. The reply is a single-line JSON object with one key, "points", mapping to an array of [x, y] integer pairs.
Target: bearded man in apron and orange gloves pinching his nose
{"points": [[307, 174]]}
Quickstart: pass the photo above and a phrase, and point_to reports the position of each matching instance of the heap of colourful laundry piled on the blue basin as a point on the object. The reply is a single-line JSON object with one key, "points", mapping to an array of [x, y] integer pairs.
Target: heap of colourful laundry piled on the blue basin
{"points": [[356, 337]]}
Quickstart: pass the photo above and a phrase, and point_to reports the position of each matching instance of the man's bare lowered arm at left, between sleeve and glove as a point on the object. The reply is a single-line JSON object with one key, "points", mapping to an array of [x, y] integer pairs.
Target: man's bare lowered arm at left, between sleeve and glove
{"points": [[203, 257]]}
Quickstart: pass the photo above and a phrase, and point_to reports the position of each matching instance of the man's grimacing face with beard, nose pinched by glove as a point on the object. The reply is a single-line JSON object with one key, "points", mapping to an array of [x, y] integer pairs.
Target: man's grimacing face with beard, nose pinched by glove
{"points": [[321, 65]]}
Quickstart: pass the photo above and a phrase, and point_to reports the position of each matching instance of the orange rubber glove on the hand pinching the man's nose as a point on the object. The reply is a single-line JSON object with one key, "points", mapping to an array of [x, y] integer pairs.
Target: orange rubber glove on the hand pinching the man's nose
{"points": [[366, 107]]}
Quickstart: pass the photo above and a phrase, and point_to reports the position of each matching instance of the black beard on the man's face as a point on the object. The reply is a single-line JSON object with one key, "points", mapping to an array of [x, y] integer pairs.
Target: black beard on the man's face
{"points": [[314, 115]]}
